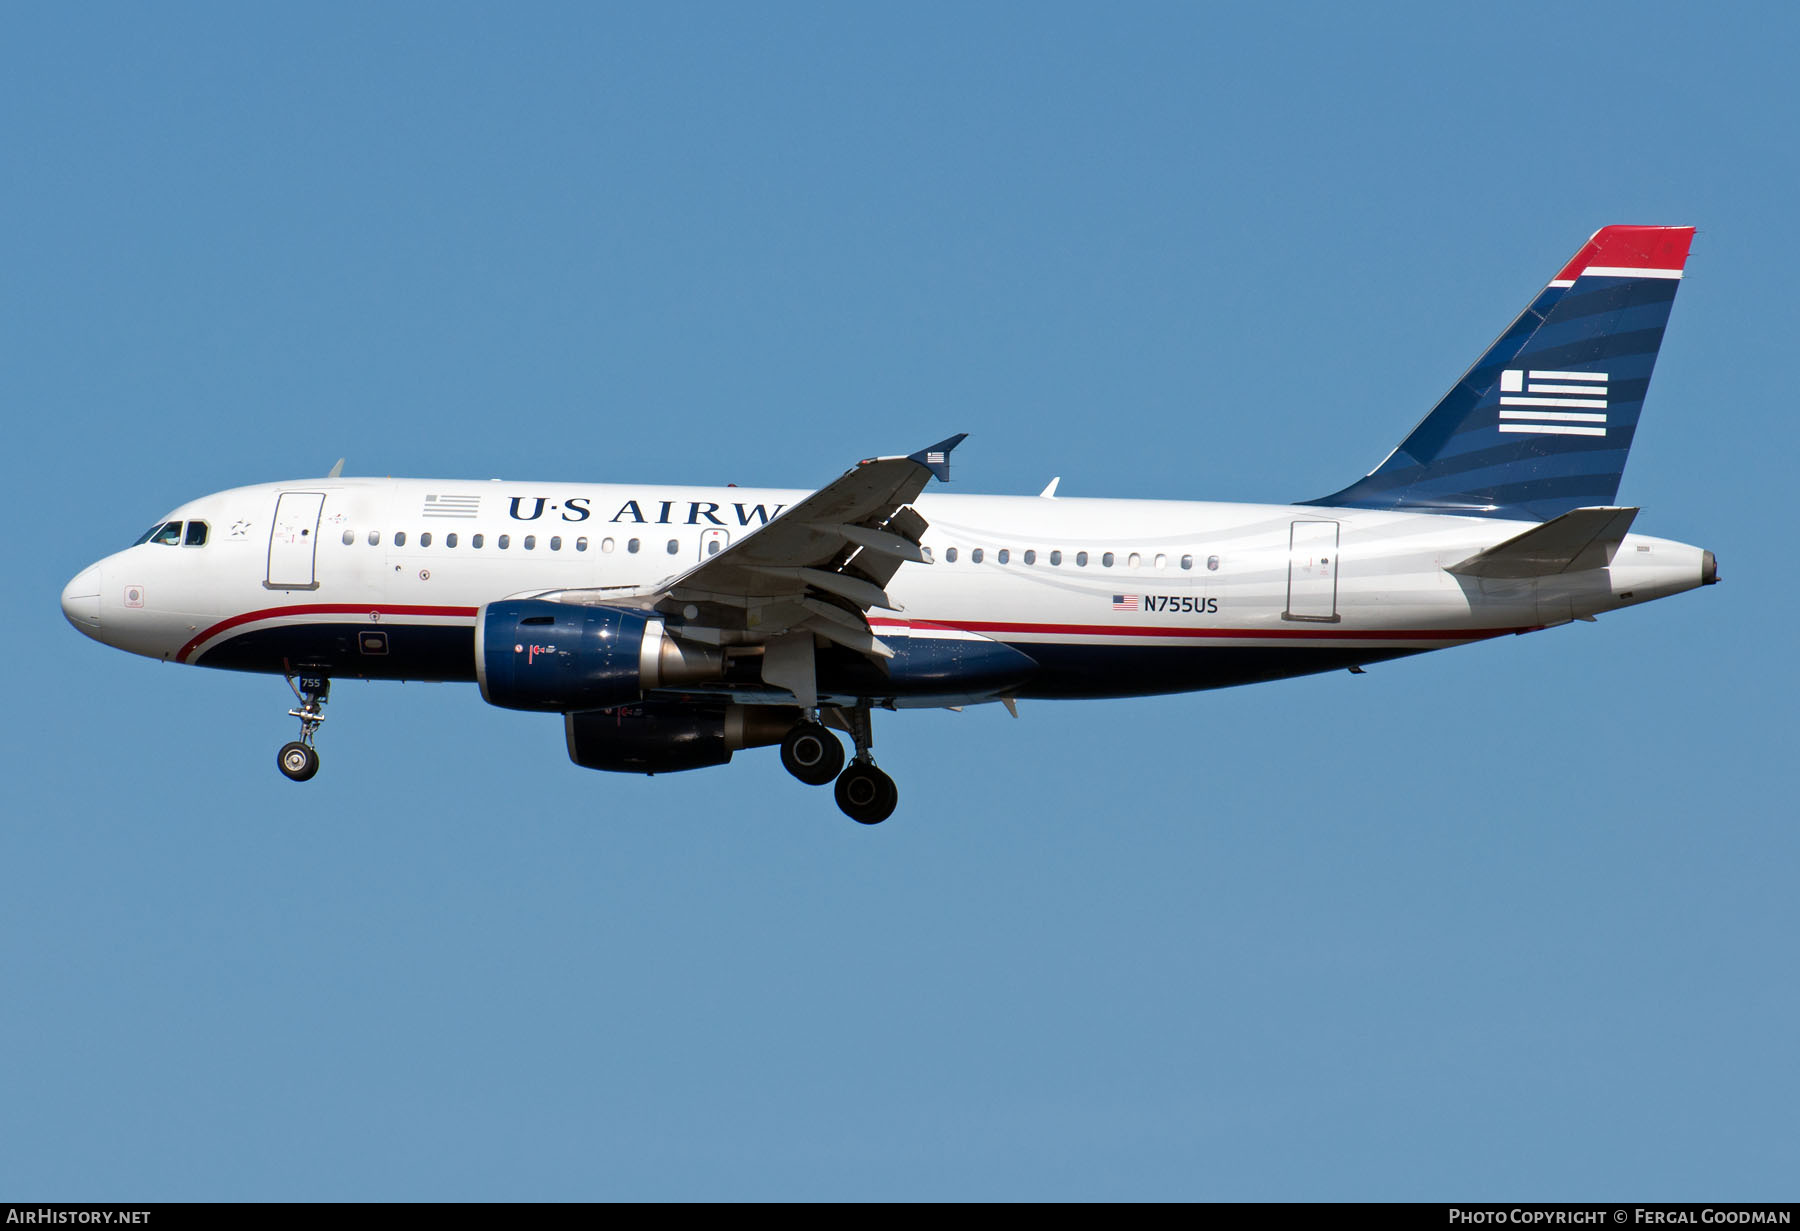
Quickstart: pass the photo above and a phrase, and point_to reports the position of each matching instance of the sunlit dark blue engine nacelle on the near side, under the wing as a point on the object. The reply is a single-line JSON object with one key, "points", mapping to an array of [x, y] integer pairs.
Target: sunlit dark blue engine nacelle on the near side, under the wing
{"points": [[561, 658]]}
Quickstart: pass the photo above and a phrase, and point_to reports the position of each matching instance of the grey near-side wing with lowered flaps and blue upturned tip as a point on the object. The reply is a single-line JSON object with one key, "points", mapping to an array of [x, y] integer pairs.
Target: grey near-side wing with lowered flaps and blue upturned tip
{"points": [[814, 571]]}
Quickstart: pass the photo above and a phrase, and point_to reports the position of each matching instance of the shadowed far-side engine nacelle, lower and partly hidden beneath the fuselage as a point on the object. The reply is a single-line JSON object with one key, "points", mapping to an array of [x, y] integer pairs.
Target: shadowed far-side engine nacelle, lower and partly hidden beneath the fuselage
{"points": [[663, 739]]}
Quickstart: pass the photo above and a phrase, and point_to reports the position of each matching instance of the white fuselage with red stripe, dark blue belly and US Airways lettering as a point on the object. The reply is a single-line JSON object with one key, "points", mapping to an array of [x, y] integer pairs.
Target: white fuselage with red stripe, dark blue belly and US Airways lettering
{"points": [[384, 579]]}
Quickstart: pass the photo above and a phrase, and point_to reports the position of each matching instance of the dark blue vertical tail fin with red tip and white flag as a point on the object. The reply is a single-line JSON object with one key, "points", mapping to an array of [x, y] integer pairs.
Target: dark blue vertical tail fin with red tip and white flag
{"points": [[1545, 418]]}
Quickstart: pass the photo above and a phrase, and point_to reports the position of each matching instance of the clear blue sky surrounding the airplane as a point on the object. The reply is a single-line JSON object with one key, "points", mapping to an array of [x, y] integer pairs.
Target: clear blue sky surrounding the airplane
{"points": [[1513, 921]]}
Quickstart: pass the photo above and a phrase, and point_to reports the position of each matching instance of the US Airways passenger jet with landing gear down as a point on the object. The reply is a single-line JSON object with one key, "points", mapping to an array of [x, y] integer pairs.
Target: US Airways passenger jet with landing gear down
{"points": [[674, 627]]}
